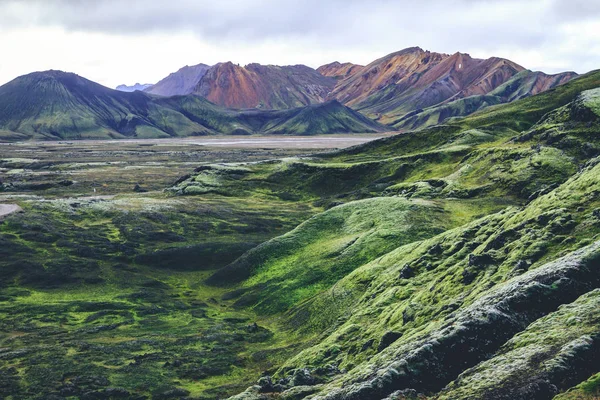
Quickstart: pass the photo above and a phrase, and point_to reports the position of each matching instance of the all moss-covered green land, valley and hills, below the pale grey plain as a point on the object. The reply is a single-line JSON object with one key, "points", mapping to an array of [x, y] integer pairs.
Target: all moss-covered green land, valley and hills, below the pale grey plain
{"points": [[457, 262]]}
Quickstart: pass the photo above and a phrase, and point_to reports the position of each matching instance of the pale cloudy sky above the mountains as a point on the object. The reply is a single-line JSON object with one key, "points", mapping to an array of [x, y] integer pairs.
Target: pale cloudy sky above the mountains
{"points": [[128, 41]]}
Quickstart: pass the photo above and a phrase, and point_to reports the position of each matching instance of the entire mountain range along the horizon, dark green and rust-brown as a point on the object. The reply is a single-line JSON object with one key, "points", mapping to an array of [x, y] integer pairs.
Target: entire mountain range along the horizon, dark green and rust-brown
{"points": [[406, 90]]}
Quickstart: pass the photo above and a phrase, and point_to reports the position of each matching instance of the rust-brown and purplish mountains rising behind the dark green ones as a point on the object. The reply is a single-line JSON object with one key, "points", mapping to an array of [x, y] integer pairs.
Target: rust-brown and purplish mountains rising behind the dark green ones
{"points": [[398, 90]]}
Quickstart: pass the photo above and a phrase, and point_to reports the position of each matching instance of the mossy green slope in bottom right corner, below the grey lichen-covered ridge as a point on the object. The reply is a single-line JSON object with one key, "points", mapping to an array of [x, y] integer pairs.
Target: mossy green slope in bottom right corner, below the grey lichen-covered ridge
{"points": [[551, 355]]}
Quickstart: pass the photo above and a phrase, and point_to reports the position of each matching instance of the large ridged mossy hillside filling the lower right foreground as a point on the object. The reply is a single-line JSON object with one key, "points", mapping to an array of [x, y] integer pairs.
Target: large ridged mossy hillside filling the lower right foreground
{"points": [[422, 314]]}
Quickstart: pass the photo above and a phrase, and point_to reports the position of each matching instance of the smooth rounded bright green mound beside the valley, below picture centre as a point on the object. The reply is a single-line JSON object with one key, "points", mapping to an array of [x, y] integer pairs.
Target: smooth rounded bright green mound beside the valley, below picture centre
{"points": [[326, 248]]}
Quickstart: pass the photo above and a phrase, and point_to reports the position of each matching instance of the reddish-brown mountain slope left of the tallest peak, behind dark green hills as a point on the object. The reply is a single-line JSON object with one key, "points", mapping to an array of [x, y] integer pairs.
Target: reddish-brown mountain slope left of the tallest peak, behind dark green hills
{"points": [[264, 86]]}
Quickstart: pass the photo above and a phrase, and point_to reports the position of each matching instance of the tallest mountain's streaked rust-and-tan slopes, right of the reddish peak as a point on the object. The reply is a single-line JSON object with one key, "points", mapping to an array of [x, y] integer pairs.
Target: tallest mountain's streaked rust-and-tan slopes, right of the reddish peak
{"points": [[412, 79]]}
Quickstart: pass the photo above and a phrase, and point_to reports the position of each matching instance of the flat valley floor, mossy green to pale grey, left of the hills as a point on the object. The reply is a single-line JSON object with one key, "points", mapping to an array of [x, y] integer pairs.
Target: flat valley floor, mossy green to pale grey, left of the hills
{"points": [[87, 307]]}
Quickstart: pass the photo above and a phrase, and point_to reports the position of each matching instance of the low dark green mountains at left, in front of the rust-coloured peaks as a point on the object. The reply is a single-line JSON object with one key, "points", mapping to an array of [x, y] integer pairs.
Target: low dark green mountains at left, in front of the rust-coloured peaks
{"points": [[59, 105]]}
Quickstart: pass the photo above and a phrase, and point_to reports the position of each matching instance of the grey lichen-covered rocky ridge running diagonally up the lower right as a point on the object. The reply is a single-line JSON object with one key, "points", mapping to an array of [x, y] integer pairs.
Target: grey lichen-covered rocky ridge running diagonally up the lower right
{"points": [[478, 331]]}
